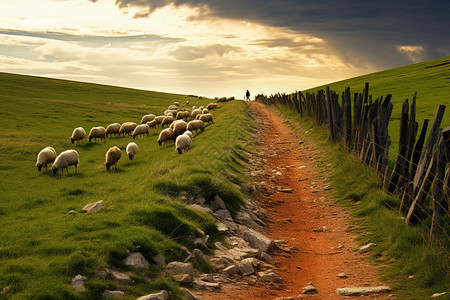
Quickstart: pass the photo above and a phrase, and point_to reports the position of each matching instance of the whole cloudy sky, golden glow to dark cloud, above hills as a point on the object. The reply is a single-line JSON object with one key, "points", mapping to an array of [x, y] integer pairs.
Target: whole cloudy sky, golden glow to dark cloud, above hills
{"points": [[219, 48]]}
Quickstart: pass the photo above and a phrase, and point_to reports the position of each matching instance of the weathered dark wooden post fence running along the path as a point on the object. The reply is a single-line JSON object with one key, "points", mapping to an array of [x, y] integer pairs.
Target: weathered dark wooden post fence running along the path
{"points": [[418, 173]]}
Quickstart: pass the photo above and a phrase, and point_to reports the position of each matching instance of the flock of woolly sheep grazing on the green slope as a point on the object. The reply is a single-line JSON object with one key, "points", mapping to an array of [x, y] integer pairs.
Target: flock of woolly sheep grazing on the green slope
{"points": [[181, 125]]}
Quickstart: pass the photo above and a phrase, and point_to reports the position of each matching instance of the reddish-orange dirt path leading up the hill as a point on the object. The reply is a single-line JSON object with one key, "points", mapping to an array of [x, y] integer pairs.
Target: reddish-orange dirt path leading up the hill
{"points": [[296, 216]]}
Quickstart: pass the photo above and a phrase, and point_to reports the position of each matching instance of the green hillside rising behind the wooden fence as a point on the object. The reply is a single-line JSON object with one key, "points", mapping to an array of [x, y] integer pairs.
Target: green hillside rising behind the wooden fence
{"points": [[430, 79]]}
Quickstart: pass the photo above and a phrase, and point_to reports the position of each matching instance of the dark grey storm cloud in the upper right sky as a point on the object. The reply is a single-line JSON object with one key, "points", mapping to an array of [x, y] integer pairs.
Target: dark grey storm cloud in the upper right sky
{"points": [[359, 32]]}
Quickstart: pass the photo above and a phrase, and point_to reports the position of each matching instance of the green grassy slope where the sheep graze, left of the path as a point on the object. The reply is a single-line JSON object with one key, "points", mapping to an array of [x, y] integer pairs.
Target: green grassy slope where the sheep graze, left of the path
{"points": [[41, 245]]}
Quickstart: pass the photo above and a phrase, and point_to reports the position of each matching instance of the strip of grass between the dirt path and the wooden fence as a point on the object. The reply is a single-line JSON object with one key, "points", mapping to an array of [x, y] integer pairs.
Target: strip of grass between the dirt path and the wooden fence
{"points": [[402, 250]]}
